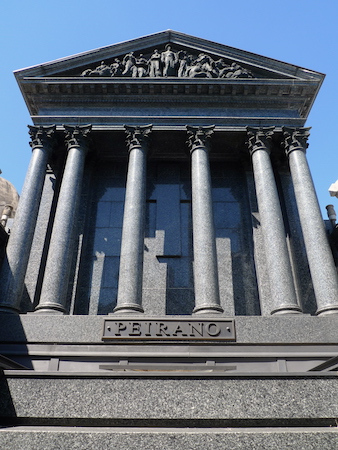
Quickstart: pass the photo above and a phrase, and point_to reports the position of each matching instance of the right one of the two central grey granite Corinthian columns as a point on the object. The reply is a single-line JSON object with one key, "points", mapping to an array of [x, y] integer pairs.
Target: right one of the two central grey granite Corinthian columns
{"points": [[207, 298]]}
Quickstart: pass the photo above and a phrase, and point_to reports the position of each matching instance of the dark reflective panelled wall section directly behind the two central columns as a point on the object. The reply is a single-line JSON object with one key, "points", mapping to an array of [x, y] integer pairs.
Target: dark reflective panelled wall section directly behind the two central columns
{"points": [[168, 262]]}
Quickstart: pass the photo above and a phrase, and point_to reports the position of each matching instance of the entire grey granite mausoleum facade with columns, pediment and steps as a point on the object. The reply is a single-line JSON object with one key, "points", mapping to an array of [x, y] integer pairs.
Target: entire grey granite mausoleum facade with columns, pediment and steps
{"points": [[168, 269]]}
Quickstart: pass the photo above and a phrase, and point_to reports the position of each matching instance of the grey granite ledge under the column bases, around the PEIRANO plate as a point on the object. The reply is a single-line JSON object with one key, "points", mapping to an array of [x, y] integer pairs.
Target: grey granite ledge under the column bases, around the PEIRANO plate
{"points": [[294, 329]]}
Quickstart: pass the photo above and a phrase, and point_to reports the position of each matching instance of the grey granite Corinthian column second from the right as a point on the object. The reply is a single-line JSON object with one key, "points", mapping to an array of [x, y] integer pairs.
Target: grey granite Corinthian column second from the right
{"points": [[282, 286]]}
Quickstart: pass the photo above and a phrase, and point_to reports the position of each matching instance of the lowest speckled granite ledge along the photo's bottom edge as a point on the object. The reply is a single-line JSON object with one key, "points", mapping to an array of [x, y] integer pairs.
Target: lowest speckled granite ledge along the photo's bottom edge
{"points": [[35, 438]]}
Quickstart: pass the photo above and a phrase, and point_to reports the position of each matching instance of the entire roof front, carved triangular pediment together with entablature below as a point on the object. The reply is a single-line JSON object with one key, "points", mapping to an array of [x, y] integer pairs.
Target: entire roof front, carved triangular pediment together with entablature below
{"points": [[178, 79]]}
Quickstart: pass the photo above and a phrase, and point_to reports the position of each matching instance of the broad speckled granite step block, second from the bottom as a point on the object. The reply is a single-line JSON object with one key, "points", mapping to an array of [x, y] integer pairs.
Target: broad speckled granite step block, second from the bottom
{"points": [[27, 394]]}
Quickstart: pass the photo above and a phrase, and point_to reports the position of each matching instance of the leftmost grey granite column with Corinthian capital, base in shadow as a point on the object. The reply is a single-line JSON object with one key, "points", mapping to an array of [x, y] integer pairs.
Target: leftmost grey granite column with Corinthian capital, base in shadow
{"points": [[14, 266]]}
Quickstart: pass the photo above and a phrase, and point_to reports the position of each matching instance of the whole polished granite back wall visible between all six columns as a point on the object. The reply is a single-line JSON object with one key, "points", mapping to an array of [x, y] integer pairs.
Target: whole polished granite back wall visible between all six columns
{"points": [[168, 258]]}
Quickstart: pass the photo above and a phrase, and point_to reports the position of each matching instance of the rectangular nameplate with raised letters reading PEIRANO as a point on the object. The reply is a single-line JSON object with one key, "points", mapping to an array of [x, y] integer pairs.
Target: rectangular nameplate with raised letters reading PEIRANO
{"points": [[159, 329]]}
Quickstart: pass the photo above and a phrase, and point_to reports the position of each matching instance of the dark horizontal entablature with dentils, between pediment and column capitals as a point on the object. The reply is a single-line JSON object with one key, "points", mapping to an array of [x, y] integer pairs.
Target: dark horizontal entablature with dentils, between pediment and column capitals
{"points": [[105, 100]]}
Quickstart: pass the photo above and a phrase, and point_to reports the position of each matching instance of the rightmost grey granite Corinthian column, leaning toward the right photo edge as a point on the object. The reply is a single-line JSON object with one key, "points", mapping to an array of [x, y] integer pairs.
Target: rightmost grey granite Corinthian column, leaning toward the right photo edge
{"points": [[322, 268]]}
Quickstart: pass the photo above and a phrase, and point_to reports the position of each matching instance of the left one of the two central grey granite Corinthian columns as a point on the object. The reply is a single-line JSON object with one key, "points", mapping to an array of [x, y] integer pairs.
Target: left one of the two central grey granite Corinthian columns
{"points": [[129, 297]]}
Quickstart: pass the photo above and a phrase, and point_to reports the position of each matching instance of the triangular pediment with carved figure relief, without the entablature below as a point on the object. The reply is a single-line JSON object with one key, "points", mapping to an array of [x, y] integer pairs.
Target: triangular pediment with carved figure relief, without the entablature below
{"points": [[169, 54]]}
